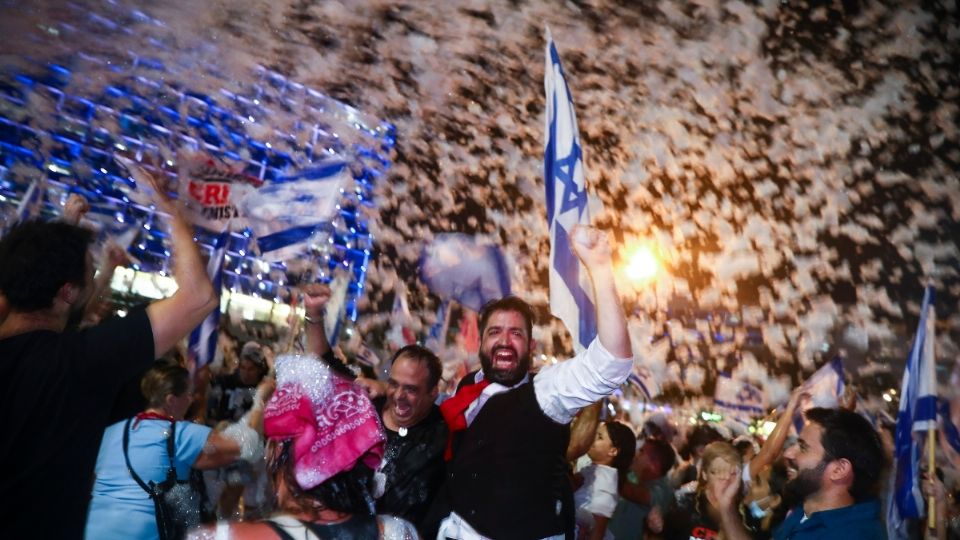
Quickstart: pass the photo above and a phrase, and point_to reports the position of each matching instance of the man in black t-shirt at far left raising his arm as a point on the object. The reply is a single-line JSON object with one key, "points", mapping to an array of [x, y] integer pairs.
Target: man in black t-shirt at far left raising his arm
{"points": [[58, 384]]}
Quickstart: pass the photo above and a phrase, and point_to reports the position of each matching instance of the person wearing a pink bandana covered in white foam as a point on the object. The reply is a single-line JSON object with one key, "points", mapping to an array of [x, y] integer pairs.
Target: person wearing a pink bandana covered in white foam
{"points": [[325, 441]]}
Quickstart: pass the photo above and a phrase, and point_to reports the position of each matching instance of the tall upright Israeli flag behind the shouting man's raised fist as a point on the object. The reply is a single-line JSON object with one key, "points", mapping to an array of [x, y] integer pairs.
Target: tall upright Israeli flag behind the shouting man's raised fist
{"points": [[570, 291]]}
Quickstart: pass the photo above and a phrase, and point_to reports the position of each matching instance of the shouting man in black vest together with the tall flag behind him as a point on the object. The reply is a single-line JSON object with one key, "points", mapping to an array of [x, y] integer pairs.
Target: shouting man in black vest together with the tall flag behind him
{"points": [[509, 429]]}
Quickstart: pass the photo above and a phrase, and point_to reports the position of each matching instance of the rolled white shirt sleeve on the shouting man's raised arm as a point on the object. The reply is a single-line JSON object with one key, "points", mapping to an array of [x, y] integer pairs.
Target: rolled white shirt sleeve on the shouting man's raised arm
{"points": [[565, 388]]}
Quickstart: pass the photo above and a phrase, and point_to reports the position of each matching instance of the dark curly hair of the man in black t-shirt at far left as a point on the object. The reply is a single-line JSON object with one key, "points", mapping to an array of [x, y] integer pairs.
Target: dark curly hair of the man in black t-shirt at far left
{"points": [[39, 258]]}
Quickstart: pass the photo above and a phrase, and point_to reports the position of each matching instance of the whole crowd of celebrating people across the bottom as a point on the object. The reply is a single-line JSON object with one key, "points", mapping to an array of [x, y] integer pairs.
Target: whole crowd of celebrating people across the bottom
{"points": [[277, 443]]}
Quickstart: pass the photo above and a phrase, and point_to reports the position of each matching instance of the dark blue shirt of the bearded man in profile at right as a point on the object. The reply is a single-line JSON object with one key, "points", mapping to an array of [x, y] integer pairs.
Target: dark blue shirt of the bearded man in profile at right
{"points": [[854, 522]]}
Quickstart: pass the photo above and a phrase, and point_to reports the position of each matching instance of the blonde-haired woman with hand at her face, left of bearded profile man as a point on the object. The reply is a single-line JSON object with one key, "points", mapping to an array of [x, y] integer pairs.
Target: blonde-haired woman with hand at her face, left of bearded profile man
{"points": [[713, 510]]}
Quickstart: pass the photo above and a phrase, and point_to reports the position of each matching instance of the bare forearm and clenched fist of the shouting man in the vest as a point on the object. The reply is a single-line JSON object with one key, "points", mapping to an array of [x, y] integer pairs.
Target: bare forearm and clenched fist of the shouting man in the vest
{"points": [[593, 249]]}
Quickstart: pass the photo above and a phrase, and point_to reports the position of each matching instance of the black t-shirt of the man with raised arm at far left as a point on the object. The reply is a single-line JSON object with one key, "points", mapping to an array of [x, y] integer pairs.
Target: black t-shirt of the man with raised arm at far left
{"points": [[56, 393]]}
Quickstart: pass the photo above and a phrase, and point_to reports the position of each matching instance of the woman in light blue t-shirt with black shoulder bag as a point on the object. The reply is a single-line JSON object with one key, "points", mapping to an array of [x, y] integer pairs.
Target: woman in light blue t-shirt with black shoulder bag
{"points": [[135, 456]]}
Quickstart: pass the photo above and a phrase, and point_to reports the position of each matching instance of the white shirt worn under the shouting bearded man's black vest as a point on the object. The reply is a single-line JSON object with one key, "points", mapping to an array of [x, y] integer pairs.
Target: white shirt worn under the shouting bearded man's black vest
{"points": [[561, 390]]}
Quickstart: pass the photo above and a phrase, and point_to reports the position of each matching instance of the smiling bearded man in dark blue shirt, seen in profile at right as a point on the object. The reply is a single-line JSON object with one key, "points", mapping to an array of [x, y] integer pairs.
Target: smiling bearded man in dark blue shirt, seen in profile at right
{"points": [[834, 468]]}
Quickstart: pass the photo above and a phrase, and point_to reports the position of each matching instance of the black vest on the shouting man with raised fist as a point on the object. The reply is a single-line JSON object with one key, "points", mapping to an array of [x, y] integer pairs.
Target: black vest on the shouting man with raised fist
{"points": [[508, 477]]}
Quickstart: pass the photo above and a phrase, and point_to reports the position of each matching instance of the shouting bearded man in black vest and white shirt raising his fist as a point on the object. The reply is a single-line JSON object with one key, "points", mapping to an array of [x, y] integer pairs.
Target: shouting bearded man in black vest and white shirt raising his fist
{"points": [[506, 457]]}
